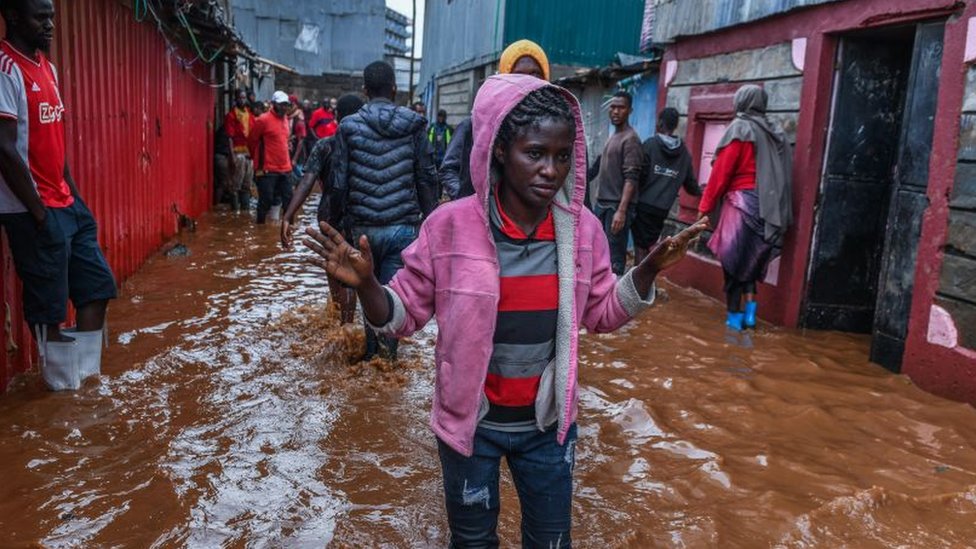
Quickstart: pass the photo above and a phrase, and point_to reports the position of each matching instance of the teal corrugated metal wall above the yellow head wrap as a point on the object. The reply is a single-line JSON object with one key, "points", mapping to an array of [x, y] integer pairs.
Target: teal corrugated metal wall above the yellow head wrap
{"points": [[577, 32]]}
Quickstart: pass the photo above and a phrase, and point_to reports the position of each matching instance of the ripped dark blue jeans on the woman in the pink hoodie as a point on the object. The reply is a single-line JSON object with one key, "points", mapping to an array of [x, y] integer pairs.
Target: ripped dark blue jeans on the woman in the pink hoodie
{"points": [[543, 474]]}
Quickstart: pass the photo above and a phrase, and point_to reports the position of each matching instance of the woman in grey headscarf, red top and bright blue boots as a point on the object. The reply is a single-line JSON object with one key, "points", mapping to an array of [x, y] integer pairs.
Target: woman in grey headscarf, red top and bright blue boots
{"points": [[752, 172]]}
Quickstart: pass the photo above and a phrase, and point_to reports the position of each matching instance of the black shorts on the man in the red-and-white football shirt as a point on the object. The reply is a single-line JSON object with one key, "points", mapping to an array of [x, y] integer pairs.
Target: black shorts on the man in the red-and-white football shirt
{"points": [[57, 261]]}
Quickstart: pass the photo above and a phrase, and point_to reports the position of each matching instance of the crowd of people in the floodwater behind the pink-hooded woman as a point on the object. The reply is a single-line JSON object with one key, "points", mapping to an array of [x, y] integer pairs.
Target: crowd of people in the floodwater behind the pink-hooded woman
{"points": [[402, 166]]}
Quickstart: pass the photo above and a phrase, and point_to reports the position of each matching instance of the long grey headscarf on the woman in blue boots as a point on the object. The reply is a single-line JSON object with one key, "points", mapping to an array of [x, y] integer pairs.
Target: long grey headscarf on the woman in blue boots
{"points": [[774, 160]]}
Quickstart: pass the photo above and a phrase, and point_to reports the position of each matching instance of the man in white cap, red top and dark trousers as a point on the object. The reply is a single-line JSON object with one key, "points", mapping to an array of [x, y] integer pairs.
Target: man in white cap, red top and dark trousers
{"points": [[269, 149]]}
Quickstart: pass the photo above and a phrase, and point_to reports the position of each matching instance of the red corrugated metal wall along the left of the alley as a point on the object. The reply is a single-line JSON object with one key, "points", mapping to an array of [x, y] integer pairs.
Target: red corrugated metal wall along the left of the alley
{"points": [[140, 141]]}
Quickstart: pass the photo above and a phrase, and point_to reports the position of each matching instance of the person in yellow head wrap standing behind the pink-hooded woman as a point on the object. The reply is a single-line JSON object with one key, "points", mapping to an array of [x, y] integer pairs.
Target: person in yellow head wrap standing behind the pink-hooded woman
{"points": [[520, 57]]}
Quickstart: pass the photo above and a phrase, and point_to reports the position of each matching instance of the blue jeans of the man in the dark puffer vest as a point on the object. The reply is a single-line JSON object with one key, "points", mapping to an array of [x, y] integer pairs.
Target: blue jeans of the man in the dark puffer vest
{"points": [[386, 243]]}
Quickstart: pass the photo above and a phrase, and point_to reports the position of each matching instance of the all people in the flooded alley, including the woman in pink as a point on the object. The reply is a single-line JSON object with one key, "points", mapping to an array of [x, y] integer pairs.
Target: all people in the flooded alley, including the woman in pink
{"points": [[483, 227]]}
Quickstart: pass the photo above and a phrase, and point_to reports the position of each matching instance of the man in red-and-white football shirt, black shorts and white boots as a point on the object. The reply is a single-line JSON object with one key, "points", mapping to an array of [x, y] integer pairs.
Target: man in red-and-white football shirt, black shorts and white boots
{"points": [[51, 232]]}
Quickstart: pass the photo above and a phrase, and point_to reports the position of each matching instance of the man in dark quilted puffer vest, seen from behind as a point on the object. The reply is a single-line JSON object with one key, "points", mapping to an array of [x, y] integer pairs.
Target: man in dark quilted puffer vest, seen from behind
{"points": [[385, 180]]}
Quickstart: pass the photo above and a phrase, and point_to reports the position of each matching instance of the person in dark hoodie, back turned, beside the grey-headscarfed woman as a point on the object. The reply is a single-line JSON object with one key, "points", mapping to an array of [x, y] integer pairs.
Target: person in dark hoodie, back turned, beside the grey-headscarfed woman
{"points": [[668, 167]]}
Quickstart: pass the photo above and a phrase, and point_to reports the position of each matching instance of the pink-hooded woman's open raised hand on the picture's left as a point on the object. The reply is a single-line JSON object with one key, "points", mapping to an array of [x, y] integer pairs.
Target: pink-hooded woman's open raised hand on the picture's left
{"points": [[350, 266]]}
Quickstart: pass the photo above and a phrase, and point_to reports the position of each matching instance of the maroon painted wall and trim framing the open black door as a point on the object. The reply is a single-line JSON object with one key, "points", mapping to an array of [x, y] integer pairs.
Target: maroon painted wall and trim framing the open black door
{"points": [[950, 372]]}
